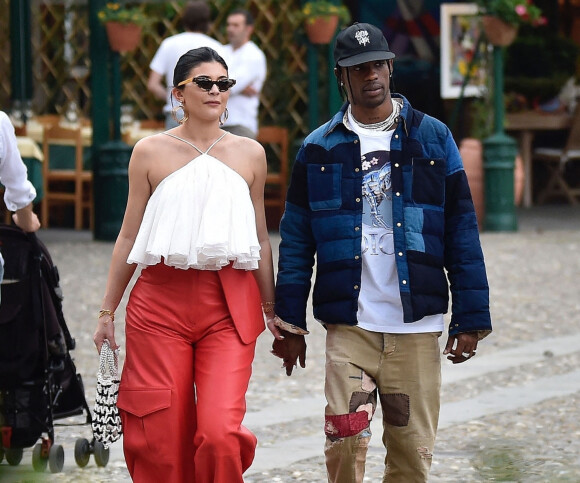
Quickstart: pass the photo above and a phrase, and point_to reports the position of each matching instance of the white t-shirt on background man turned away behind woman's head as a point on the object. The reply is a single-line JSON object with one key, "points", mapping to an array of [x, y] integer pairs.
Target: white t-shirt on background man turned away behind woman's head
{"points": [[172, 48]]}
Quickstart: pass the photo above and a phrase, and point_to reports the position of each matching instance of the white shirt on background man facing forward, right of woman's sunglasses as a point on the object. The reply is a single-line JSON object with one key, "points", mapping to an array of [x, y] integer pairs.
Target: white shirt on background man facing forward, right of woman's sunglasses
{"points": [[247, 65]]}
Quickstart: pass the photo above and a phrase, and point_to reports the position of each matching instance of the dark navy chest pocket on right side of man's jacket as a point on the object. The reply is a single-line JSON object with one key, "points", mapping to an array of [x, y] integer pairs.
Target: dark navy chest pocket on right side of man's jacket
{"points": [[429, 181]]}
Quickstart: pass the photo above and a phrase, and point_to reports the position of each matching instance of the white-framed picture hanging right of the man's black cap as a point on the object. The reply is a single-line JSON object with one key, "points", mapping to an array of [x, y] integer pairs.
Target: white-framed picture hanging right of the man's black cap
{"points": [[460, 30]]}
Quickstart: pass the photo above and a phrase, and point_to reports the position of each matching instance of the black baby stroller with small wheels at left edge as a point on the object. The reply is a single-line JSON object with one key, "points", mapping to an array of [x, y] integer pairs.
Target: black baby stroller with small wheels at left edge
{"points": [[38, 379]]}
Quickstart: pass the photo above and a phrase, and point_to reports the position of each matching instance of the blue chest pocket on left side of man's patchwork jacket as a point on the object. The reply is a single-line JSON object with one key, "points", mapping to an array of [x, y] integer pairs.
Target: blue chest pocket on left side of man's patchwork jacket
{"points": [[324, 186]]}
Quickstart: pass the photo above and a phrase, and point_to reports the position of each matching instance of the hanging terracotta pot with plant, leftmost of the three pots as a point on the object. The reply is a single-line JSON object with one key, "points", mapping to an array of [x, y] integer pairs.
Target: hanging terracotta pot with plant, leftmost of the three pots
{"points": [[123, 25]]}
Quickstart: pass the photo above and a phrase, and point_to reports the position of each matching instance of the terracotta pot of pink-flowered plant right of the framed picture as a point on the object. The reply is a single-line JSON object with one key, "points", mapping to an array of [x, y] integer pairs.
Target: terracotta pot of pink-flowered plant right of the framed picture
{"points": [[502, 18]]}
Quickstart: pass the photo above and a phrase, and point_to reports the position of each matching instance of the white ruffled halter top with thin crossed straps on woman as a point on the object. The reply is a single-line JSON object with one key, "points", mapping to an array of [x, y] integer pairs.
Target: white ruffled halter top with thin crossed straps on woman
{"points": [[200, 216]]}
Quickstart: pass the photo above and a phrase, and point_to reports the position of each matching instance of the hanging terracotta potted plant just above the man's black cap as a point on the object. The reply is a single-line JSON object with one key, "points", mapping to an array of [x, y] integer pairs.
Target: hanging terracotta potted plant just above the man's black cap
{"points": [[321, 18]]}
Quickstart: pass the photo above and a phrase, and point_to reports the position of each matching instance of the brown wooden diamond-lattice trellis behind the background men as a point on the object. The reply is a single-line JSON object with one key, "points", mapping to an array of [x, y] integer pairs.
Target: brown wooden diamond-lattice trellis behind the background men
{"points": [[61, 64]]}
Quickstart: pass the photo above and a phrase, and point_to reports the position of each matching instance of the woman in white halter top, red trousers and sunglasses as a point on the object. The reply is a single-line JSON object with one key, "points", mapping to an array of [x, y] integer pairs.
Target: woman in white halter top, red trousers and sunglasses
{"points": [[195, 223]]}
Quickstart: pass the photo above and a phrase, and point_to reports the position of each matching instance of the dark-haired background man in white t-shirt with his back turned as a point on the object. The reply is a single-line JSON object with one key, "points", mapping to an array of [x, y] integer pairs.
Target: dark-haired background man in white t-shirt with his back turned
{"points": [[195, 19]]}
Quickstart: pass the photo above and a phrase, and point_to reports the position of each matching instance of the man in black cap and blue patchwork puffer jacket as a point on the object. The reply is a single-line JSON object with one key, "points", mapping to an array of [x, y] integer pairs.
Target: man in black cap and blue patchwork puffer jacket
{"points": [[379, 195]]}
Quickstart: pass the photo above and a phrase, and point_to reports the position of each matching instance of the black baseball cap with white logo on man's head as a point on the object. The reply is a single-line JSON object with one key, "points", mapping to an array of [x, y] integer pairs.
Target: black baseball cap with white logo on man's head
{"points": [[359, 43]]}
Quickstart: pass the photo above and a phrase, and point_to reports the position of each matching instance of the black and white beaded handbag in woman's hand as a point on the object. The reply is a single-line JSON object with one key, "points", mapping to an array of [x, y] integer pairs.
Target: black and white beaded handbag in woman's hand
{"points": [[106, 420]]}
